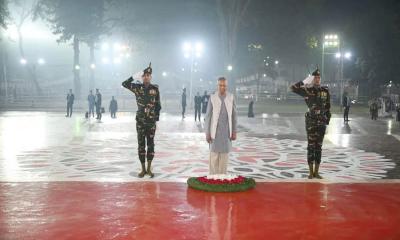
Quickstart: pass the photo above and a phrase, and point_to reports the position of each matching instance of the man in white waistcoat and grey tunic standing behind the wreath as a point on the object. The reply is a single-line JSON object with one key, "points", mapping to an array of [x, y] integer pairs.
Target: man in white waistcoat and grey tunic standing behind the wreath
{"points": [[220, 127]]}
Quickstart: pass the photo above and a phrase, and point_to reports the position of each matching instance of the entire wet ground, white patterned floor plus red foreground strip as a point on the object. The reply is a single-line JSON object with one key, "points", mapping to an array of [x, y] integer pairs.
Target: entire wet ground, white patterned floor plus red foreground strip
{"points": [[72, 178]]}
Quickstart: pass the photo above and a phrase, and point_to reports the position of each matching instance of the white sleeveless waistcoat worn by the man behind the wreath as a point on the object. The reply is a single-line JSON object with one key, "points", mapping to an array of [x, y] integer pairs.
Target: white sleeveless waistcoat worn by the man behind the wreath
{"points": [[216, 103]]}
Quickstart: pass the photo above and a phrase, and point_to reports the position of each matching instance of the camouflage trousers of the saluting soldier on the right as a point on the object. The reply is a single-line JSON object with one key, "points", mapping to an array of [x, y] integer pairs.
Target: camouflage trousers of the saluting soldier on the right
{"points": [[315, 137]]}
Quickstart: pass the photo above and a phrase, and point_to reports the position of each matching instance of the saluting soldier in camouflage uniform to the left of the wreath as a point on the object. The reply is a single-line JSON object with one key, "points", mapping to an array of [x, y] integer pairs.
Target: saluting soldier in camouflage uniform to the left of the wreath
{"points": [[149, 106]]}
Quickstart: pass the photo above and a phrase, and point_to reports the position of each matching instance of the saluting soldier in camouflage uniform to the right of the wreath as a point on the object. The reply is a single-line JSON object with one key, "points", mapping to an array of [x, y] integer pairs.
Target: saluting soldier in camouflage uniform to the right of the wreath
{"points": [[317, 118]]}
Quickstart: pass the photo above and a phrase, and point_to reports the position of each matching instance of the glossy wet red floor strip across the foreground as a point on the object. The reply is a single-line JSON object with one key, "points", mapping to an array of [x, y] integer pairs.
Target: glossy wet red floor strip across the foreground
{"points": [[153, 210]]}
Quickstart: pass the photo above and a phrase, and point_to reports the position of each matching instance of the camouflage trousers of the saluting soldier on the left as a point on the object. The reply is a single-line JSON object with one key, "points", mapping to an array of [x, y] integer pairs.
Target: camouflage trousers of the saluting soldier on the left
{"points": [[145, 133]]}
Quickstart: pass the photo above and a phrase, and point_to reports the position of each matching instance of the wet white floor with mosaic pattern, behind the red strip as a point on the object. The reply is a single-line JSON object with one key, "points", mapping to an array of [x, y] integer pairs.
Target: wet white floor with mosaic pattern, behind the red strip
{"points": [[50, 147]]}
